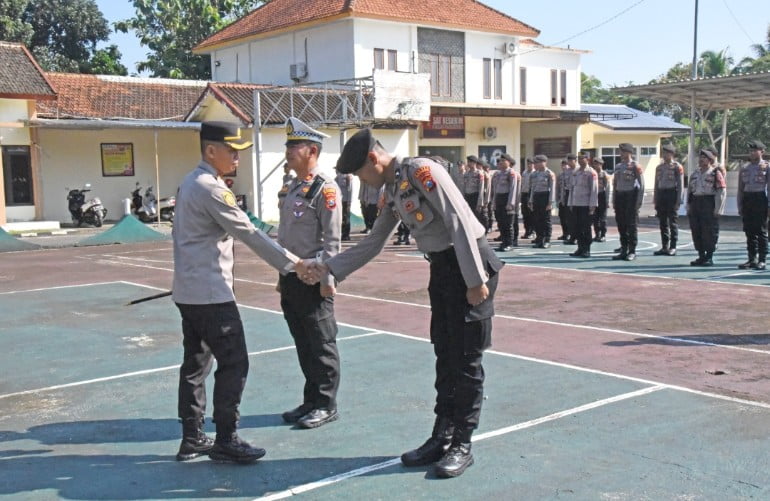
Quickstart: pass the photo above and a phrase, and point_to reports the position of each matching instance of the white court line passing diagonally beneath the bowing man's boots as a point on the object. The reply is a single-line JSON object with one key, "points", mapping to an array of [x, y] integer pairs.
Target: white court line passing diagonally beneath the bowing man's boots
{"points": [[301, 489]]}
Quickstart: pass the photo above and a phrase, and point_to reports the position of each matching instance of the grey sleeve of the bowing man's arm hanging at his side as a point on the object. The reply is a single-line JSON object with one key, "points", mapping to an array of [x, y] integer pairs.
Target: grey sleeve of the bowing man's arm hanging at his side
{"points": [[444, 197]]}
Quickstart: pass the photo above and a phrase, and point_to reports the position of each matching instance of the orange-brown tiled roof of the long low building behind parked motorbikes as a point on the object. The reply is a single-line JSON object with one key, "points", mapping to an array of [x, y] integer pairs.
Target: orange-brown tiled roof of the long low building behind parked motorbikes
{"points": [[110, 97]]}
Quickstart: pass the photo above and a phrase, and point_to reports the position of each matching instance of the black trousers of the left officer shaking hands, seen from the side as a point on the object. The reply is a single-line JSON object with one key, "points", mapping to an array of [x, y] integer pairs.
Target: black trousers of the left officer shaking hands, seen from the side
{"points": [[212, 331]]}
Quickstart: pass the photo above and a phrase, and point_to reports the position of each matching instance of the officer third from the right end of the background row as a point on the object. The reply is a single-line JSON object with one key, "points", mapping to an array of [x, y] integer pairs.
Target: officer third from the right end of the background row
{"points": [[668, 195]]}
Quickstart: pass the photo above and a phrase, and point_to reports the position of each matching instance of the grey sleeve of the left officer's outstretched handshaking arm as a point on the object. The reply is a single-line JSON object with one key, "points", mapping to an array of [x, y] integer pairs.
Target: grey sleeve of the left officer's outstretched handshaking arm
{"points": [[222, 207]]}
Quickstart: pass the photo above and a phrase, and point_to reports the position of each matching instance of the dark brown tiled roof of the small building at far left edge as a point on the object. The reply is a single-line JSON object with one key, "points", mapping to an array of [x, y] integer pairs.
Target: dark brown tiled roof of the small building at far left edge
{"points": [[20, 75]]}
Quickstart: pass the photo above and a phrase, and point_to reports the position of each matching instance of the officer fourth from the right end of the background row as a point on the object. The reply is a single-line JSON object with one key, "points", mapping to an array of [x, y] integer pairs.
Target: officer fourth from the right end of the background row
{"points": [[627, 197]]}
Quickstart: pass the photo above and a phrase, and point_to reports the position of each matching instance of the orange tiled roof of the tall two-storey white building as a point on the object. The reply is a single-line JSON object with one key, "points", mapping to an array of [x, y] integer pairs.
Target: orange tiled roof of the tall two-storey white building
{"points": [[282, 14]]}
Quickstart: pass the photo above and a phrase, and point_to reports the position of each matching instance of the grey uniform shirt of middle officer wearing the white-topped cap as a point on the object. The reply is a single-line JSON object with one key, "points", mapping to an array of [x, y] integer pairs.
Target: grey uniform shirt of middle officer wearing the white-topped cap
{"points": [[311, 218]]}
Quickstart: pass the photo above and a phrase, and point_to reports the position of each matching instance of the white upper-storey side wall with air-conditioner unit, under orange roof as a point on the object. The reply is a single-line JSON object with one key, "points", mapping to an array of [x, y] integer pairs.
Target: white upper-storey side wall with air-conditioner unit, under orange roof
{"points": [[267, 60]]}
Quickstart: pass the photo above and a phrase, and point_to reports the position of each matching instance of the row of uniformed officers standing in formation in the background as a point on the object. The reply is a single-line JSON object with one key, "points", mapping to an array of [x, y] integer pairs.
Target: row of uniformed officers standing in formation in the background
{"points": [[583, 191]]}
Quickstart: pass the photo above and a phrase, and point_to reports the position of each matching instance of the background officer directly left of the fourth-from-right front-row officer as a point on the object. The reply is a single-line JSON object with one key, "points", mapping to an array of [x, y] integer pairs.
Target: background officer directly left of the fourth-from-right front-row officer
{"points": [[583, 198]]}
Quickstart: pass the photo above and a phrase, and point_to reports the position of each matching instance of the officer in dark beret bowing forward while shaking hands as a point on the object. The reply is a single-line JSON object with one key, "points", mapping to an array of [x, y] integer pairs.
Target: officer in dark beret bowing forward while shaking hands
{"points": [[463, 279]]}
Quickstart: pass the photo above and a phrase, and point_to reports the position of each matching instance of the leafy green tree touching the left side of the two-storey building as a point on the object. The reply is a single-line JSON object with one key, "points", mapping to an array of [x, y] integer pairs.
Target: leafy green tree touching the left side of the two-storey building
{"points": [[171, 28]]}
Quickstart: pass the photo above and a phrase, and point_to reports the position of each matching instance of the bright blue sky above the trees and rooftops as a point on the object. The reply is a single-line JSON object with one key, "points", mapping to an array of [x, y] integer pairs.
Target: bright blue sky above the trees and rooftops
{"points": [[630, 40]]}
